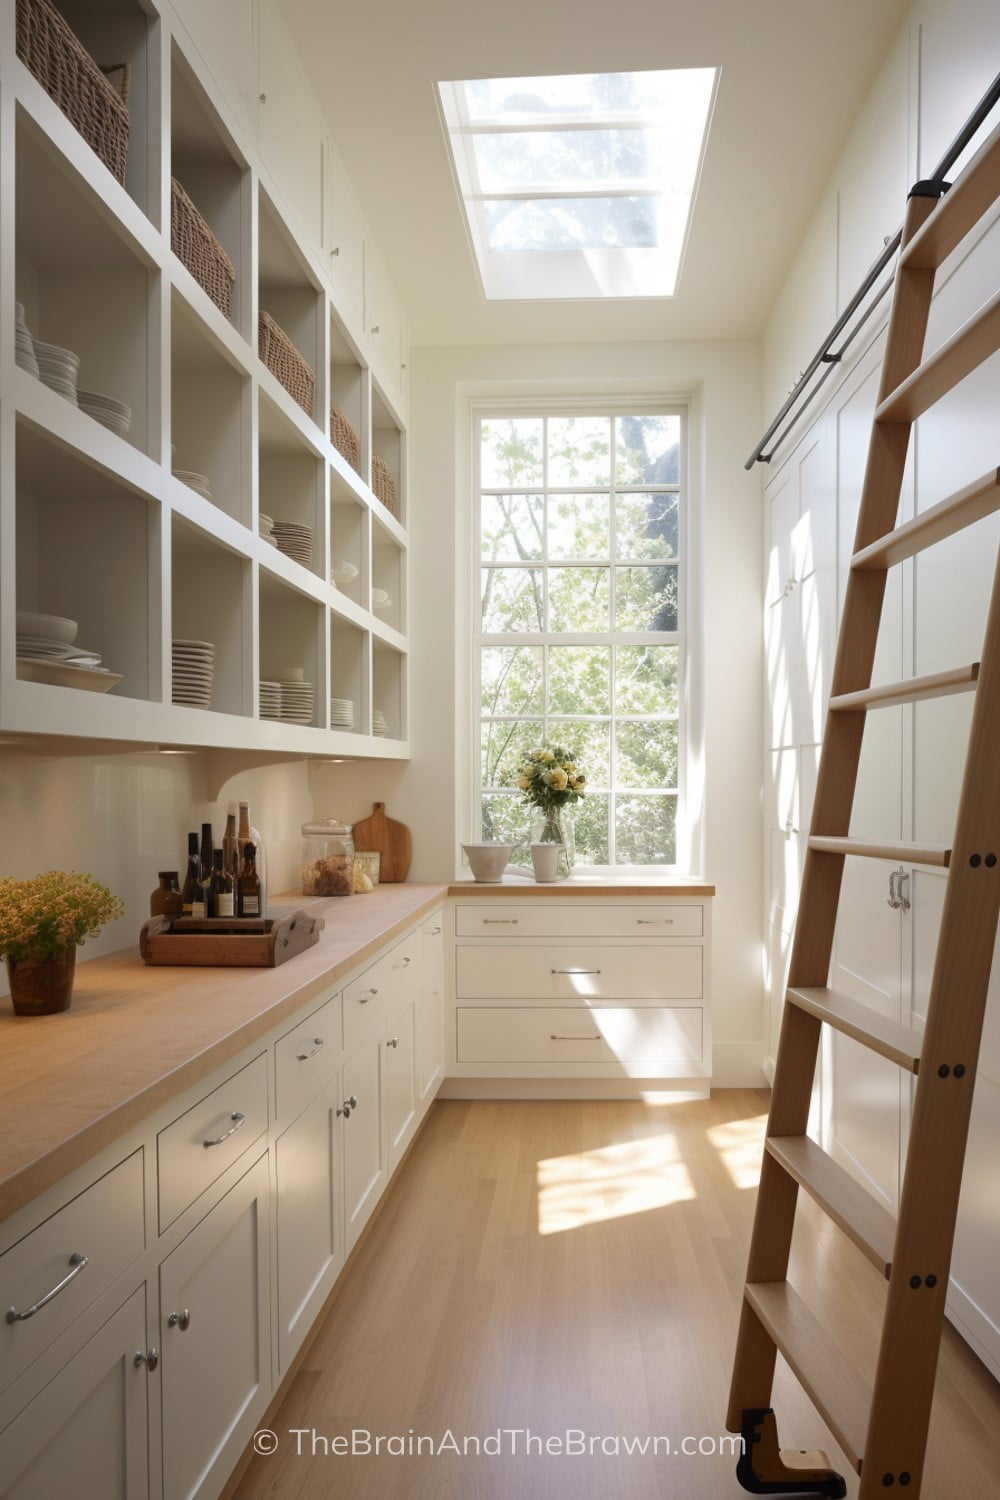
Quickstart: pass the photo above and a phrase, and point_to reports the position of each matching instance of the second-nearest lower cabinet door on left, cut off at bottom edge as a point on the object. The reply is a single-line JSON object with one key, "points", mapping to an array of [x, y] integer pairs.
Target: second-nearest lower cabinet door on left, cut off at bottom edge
{"points": [[215, 1339]]}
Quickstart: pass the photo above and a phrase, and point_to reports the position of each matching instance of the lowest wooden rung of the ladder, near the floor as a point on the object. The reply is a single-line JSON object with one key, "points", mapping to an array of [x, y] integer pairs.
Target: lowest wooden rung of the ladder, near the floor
{"points": [[827, 1375]]}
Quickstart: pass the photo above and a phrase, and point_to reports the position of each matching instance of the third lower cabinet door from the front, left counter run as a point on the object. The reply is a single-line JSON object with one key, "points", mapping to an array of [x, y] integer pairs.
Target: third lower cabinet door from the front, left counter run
{"points": [[310, 1219]]}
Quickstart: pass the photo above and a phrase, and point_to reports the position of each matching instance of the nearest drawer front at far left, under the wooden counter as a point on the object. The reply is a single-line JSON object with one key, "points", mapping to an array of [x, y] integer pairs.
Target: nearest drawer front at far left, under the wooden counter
{"points": [[104, 1225]]}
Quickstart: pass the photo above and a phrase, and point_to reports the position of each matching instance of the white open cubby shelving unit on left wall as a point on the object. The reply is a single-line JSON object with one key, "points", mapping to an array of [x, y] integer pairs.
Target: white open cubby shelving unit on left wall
{"points": [[95, 526]]}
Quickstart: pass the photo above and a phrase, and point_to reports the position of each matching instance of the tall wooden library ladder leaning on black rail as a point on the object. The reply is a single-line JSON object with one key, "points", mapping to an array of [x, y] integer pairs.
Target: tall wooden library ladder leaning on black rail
{"points": [[884, 1430]]}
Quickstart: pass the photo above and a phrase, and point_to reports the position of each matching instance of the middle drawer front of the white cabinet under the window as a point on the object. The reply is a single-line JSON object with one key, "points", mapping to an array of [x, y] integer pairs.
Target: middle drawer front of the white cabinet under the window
{"points": [[579, 971]]}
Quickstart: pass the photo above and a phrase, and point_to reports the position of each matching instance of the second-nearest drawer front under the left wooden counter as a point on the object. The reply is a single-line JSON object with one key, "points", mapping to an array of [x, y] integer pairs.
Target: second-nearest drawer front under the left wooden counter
{"points": [[209, 1138]]}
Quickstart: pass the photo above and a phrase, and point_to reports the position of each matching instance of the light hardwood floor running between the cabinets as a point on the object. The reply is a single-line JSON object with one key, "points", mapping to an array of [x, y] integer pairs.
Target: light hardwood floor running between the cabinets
{"points": [[548, 1277]]}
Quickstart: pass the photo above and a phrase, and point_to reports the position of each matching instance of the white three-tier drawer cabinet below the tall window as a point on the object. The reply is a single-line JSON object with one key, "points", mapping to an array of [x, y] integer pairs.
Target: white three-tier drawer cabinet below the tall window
{"points": [[603, 992]]}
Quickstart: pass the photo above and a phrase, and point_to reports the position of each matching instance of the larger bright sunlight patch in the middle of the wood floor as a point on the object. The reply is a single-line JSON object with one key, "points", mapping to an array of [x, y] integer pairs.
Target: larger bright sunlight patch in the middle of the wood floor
{"points": [[611, 1183]]}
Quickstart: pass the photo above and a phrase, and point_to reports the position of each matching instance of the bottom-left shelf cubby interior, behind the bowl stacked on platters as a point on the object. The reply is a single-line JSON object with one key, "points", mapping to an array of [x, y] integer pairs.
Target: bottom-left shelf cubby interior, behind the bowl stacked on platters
{"points": [[68, 511]]}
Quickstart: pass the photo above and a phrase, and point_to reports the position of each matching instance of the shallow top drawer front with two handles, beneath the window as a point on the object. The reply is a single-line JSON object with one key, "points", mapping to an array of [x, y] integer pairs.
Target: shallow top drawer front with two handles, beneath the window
{"points": [[579, 920]]}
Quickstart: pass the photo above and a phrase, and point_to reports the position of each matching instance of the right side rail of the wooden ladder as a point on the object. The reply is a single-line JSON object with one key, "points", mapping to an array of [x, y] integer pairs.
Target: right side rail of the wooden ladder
{"points": [[932, 1186]]}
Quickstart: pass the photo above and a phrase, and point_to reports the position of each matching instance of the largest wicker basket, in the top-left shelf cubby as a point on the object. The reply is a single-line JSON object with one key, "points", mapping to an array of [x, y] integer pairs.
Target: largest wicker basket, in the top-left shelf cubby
{"points": [[95, 106]]}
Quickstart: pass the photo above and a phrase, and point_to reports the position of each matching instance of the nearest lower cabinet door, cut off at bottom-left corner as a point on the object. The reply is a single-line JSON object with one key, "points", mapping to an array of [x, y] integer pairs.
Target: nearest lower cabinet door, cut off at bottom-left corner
{"points": [[85, 1436]]}
